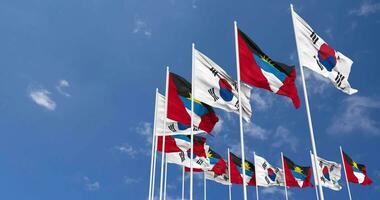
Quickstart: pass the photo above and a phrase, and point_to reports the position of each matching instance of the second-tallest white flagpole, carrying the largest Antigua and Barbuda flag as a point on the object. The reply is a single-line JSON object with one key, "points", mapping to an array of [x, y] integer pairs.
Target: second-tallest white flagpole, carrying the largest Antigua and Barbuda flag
{"points": [[240, 111]]}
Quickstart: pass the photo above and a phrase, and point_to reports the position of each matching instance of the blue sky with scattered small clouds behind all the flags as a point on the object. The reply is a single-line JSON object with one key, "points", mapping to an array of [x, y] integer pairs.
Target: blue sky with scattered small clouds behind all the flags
{"points": [[78, 78]]}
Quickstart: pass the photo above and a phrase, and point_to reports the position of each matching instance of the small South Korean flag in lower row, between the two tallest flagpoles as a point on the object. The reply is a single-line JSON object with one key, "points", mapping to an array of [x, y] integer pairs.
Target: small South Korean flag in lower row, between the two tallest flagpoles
{"points": [[266, 174]]}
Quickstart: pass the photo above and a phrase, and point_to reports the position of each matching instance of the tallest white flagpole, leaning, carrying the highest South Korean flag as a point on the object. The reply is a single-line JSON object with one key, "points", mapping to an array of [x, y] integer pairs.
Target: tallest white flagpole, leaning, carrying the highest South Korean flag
{"points": [[321, 196]]}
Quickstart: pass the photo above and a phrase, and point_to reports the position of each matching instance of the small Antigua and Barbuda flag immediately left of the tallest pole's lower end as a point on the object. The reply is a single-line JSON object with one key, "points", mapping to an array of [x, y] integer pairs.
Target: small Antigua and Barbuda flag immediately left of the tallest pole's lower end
{"points": [[296, 175]]}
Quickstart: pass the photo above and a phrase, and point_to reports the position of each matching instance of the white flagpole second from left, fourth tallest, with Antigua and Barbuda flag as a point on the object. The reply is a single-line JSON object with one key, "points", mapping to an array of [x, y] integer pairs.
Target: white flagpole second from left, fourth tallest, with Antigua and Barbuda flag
{"points": [[163, 134]]}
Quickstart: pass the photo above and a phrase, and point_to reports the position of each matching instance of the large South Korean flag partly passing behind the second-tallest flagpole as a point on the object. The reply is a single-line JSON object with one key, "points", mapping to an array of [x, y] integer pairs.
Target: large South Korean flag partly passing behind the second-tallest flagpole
{"points": [[216, 88]]}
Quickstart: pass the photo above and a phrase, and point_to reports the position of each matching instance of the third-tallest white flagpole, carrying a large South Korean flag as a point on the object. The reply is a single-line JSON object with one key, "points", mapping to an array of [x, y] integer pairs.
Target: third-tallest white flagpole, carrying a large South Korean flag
{"points": [[192, 121]]}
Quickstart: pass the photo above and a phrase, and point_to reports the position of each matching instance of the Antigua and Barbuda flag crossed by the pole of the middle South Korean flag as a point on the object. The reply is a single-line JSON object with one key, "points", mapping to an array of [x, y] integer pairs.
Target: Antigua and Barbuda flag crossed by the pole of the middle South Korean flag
{"points": [[179, 106]]}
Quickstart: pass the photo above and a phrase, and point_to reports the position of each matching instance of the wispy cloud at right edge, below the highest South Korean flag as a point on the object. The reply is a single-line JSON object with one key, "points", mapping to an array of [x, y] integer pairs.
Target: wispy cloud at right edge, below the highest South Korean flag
{"points": [[355, 115]]}
